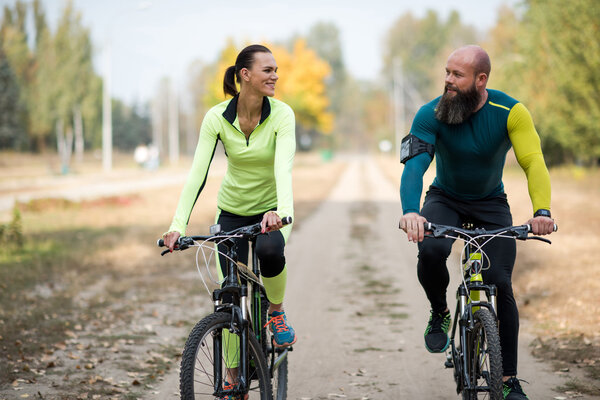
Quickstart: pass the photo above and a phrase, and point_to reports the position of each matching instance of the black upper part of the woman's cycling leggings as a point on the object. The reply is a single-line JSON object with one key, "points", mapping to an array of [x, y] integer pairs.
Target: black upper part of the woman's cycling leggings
{"points": [[269, 247]]}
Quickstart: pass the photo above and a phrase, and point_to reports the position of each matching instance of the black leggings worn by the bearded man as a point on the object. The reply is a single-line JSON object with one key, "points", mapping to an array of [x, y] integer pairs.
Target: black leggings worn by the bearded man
{"points": [[491, 213]]}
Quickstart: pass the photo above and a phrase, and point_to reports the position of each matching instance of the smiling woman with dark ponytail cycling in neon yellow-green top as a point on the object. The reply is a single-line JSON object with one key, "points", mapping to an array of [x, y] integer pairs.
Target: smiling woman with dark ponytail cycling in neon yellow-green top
{"points": [[258, 134]]}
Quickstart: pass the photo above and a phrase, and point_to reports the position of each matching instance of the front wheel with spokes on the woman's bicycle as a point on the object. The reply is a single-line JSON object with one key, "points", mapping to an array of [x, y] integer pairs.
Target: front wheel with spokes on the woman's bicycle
{"points": [[212, 347]]}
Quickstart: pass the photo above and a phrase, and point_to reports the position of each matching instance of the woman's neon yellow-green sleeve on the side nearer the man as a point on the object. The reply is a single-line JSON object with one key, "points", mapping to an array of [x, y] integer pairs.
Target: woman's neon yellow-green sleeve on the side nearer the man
{"points": [[285, 148]]}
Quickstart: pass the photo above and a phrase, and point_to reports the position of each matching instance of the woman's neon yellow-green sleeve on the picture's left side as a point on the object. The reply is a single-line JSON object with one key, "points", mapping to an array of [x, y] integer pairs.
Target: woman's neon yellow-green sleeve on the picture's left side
{"points": [[207, 142]]}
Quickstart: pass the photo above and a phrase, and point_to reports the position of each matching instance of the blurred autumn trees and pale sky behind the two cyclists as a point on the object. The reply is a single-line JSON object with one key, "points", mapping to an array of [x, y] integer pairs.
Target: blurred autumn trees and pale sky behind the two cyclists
{"points": [[84, 76]]}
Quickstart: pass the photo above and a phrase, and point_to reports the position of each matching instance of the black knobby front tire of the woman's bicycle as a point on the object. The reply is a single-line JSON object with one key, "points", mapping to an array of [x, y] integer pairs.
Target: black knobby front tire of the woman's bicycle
{"points": [[196, 380]]}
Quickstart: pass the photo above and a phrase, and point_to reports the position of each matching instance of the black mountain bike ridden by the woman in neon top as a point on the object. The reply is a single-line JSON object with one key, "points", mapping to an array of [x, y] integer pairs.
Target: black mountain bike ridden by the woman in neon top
{"points": [[230, 351]]}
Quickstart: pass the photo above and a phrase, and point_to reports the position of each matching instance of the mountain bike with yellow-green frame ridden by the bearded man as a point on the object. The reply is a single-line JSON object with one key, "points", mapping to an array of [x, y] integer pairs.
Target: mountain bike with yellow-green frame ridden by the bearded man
{"points": [[476, 356]]}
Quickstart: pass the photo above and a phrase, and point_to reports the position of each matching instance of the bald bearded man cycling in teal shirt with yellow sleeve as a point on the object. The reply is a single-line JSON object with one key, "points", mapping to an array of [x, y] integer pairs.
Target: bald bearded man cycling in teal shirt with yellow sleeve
{"points": [[470, 129]]}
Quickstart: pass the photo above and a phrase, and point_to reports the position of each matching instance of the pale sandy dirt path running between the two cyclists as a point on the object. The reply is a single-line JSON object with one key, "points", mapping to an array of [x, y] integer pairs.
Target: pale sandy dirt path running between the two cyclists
{"points": [[358, 308]]}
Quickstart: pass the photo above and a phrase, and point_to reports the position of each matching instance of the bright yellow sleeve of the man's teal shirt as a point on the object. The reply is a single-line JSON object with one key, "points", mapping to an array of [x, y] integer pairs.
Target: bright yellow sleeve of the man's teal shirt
{"points": [[526, 144]]}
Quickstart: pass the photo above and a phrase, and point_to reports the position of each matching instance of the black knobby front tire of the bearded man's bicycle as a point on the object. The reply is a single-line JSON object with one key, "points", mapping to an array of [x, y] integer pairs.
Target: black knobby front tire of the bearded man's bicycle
{"points": [[484, 367]]}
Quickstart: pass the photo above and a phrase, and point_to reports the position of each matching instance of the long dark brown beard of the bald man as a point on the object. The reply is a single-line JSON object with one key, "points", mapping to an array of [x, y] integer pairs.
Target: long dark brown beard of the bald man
{"points": [[456, 109]]}
